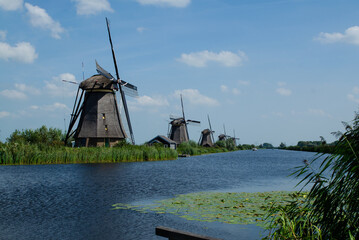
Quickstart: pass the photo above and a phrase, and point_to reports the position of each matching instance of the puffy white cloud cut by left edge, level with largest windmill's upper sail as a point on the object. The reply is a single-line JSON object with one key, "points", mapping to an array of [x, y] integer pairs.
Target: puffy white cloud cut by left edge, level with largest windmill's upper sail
{"points": [[22, 52]]}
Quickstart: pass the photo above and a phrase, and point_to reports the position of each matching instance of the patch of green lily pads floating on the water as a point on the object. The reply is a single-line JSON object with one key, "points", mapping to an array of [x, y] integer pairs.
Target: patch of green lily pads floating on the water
{"points": [[233, 208]]}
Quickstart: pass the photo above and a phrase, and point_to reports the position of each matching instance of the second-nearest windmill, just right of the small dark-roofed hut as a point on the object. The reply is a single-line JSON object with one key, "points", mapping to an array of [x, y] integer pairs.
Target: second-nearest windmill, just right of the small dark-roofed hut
{"points": [[178, 131]]}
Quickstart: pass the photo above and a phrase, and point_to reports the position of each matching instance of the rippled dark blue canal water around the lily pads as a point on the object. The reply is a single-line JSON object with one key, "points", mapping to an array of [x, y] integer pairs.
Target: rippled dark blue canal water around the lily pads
{"points": [[74, 201]]}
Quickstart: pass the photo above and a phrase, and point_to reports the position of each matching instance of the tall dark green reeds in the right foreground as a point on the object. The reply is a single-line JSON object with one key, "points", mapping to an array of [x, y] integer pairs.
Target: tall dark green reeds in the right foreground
{"points": [[332, 205]]}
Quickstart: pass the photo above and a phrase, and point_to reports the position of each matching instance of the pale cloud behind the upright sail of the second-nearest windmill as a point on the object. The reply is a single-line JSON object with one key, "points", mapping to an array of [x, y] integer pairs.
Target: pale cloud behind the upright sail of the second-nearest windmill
{"points": [[196, 98]]}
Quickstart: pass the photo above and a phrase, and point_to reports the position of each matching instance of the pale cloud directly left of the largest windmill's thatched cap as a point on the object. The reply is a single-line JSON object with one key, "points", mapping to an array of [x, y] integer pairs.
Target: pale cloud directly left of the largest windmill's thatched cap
{"points": [[56, 87]]}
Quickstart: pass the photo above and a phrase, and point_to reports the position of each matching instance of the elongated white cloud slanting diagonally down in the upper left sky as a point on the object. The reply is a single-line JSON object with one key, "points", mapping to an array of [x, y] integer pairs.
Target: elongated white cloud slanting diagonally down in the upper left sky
{"points": [[40, 18]]}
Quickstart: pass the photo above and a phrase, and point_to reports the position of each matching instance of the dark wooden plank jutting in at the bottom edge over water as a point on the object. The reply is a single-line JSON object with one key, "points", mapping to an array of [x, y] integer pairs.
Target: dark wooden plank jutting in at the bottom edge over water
{"points": [[173, 234]]}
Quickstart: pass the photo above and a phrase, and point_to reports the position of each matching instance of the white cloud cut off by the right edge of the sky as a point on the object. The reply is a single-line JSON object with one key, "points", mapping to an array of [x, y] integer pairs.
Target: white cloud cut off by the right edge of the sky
{"points": [[351, 36]]}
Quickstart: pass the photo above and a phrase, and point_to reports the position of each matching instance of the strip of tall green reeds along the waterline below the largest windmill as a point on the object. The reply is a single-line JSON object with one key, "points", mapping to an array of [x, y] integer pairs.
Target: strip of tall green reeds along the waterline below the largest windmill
{"points": [[18, 154]]}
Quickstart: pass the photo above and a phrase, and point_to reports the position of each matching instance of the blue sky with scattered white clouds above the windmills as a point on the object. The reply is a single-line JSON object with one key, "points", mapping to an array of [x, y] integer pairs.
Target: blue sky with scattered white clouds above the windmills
{"points": [[271, 70]]}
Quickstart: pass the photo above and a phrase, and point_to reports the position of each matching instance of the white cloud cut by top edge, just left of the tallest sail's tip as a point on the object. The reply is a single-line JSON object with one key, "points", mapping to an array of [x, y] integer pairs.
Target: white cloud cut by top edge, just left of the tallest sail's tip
{"points": [[92, 7]]}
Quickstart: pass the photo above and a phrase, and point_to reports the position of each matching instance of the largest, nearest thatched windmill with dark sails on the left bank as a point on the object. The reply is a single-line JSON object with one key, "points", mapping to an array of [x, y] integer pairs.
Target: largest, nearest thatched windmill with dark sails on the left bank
{"points": [[99, 121]]}
